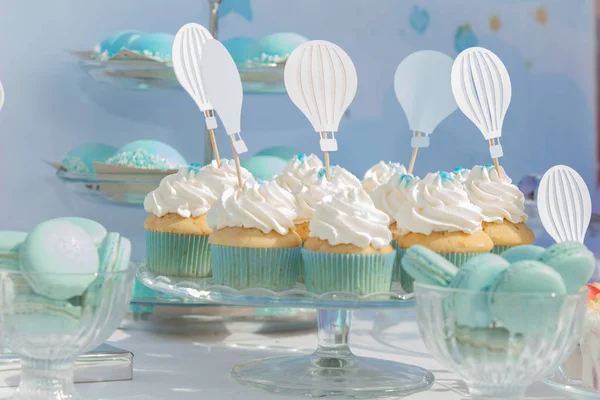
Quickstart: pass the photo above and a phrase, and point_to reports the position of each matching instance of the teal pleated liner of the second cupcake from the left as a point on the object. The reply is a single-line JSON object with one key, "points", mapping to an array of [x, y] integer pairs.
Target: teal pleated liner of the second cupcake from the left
{"points": [[241, 268]]}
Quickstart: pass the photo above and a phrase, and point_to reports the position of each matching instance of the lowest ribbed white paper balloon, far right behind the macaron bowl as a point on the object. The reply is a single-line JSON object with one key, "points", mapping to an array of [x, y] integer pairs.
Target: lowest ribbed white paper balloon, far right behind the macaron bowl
{"points": [[564, 204]]}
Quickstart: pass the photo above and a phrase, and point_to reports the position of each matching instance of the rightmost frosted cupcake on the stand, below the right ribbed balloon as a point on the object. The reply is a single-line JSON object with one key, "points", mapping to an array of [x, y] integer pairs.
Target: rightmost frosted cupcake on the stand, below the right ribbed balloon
{"points": [[503, 207]]}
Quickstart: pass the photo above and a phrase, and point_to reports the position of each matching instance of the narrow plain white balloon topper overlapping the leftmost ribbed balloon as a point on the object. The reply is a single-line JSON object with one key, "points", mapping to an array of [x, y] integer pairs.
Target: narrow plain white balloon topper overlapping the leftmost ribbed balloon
{"points": [[223, 86]]}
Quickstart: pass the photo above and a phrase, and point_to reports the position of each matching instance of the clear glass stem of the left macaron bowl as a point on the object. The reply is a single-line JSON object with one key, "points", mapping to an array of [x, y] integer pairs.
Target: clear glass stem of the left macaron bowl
{"points": [[43, 379]]}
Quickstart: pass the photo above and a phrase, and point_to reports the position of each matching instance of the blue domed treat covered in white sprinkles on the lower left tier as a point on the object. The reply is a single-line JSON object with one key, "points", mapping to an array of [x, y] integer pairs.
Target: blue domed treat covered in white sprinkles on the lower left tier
{"points": [[148, 154]]}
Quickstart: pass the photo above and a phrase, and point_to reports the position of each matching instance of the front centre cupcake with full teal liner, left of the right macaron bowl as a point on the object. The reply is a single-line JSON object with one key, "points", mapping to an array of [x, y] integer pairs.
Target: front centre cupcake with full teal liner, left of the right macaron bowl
{"points": [[349, 246]]}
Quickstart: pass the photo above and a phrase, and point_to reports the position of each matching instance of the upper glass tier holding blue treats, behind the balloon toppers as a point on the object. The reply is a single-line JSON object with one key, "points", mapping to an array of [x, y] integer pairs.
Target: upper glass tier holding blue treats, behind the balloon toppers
{"points": [[132, 71]]}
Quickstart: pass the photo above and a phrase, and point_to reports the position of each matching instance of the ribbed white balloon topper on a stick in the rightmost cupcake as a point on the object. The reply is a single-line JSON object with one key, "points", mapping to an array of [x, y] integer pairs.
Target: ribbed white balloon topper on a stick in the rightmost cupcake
{"points": [[482, 88]]}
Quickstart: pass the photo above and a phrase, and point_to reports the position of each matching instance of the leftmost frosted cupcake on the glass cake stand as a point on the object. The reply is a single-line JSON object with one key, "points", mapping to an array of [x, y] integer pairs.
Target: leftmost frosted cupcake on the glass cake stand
{"points": [[176, 229]]}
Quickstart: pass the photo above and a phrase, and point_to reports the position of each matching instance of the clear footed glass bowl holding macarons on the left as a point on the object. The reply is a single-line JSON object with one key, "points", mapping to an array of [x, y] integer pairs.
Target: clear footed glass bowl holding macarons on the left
{"points": [[49, 334]]}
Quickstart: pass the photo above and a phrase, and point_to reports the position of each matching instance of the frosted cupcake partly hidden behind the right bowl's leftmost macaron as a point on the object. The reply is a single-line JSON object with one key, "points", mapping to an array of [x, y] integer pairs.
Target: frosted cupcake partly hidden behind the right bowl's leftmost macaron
{"points": [[438, 215]]}
